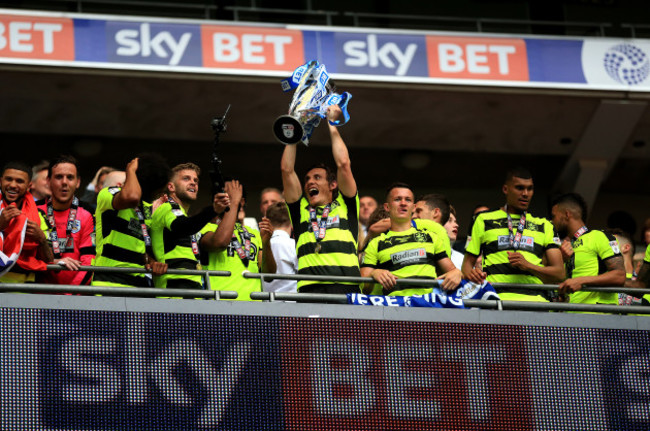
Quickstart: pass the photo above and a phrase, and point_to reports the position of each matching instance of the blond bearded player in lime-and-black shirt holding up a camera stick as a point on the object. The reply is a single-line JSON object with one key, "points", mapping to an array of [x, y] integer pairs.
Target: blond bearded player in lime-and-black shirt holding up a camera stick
{"points": [[175, 236]]}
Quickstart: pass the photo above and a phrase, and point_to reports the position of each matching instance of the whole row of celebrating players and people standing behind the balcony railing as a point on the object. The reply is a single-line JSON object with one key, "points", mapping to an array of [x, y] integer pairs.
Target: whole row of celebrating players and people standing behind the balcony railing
{"points": [[316, 226]]}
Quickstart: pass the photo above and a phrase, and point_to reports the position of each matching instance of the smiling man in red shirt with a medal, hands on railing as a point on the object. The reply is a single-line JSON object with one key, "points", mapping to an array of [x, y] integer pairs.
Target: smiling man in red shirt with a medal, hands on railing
{"points": [[70, 228]]}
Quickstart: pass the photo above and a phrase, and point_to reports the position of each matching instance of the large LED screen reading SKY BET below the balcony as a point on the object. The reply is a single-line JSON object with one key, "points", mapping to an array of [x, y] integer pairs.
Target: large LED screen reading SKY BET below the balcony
{"points": [[69, 369]]}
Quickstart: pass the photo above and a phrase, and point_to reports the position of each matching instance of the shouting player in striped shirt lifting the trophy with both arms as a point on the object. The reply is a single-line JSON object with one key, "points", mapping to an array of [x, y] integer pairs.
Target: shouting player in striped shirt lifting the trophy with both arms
{"points": [[325, 216]]}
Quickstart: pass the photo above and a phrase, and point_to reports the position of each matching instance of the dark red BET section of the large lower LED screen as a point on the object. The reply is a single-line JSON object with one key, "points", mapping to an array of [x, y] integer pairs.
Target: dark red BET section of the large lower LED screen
{"points": [[393, 376]]}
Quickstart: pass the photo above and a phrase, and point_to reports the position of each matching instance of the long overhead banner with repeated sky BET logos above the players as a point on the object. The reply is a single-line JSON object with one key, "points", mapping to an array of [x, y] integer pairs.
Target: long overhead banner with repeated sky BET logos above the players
{"points": [[275, 50]]}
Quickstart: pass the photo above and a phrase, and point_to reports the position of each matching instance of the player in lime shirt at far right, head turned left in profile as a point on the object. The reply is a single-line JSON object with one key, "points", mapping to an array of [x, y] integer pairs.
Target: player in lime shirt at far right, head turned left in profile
{"points": [[592, 257]]}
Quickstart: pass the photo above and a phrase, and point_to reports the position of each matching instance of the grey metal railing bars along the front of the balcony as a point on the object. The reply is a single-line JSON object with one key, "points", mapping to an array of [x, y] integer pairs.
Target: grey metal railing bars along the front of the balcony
{"points": [[209, 293]]}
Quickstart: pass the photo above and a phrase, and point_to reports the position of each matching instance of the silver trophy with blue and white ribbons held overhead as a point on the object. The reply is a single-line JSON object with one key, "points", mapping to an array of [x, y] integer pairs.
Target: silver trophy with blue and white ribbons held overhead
{"points": [[314, 92]]}
